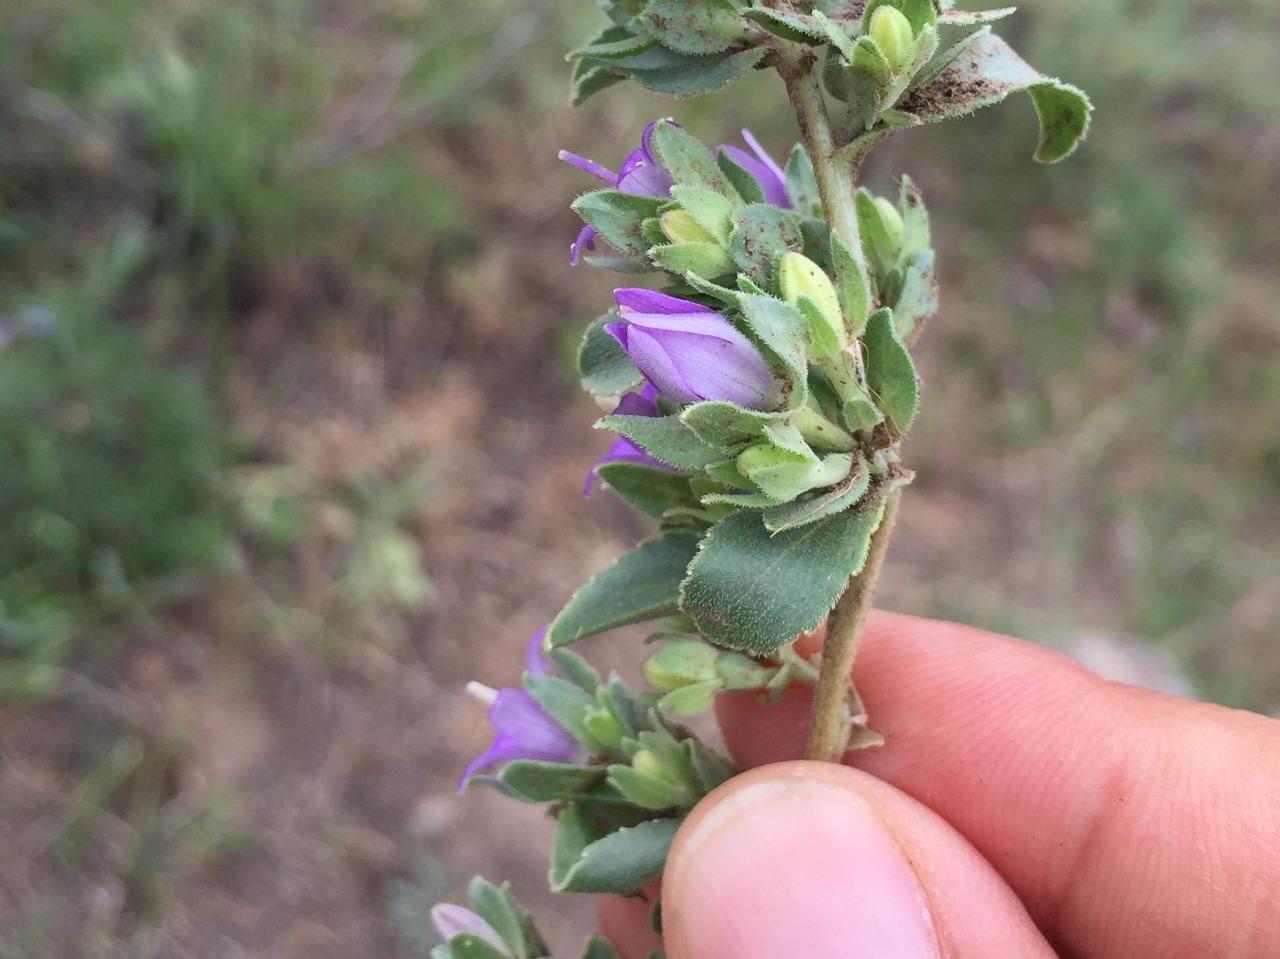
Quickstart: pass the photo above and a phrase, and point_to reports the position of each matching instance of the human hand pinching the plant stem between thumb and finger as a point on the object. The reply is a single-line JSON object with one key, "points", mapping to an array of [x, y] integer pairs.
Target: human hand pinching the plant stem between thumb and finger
{"points": [[1022, 807]]}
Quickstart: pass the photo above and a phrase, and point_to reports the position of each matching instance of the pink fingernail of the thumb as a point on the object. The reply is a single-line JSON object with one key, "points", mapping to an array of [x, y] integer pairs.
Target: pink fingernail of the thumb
{"points": [[794, 869]]}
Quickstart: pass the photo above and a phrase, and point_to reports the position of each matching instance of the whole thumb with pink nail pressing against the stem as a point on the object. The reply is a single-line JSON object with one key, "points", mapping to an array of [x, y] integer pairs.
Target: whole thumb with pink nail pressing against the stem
{"points": [[810, 860]]}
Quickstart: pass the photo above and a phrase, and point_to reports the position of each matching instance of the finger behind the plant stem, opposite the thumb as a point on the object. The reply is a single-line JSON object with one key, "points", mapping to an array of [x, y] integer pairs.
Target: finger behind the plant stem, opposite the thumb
{"points": [[1132, 824]]}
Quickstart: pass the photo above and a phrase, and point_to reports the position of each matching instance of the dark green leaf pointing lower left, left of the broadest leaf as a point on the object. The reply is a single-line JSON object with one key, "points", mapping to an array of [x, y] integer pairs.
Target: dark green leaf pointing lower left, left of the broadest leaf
{"points": [[641, 586]]}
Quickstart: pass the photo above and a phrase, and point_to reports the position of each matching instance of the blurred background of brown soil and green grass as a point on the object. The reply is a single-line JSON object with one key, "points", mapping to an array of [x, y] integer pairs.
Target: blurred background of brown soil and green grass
{"points": [[291, 446]]}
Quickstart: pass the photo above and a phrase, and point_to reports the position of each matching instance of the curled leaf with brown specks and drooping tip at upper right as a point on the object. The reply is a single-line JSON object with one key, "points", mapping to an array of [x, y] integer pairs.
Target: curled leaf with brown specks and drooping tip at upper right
{"points": [[989, 71]]}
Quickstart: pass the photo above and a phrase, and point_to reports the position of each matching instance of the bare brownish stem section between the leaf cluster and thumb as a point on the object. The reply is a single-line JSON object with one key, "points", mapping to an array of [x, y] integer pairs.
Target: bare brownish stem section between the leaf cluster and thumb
{"points": [[836, 706]]}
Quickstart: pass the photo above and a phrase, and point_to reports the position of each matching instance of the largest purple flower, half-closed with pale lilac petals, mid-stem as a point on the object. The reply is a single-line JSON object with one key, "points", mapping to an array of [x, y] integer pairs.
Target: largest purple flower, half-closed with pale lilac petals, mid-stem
{"points": [[689, 353]]}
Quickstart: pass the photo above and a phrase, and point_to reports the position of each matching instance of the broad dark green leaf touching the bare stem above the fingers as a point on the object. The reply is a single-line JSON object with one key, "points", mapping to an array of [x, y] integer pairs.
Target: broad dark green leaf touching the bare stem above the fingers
{"points": [[755, 591]]}
